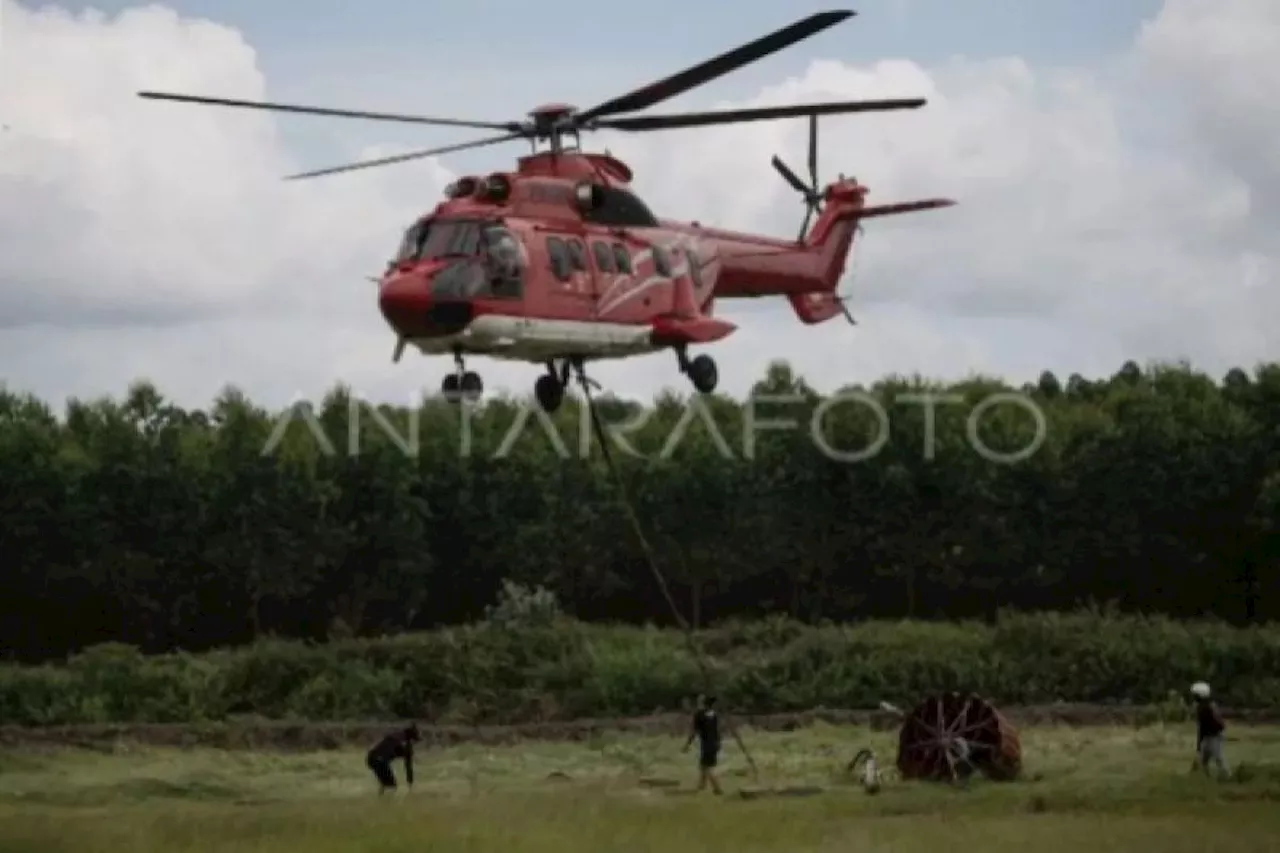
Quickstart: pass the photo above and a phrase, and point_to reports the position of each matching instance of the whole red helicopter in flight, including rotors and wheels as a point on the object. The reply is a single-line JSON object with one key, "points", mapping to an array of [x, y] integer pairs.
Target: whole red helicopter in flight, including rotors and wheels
{"points": [[560, 263]]}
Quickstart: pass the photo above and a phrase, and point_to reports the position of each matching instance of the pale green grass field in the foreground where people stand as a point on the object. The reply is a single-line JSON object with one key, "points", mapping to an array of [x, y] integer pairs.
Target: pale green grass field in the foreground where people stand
{"points": [[1085, 790]]}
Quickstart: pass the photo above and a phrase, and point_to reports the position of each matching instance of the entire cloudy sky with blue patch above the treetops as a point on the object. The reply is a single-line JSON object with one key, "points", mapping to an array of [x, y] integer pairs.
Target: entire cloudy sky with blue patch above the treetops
{"points": [[1116, 165]]}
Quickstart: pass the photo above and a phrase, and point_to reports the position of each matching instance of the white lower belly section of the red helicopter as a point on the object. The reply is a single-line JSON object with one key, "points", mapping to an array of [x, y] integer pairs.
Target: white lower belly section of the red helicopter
{"points": [[518, 339]]}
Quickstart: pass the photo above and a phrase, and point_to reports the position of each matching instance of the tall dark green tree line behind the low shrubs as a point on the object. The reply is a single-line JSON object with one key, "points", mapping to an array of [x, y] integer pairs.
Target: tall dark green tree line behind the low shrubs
{"points": [[141, 522]]}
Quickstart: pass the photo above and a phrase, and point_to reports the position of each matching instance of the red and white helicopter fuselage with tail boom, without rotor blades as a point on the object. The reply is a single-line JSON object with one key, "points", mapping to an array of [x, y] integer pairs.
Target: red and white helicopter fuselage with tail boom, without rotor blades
{"points": [[563, 261]]}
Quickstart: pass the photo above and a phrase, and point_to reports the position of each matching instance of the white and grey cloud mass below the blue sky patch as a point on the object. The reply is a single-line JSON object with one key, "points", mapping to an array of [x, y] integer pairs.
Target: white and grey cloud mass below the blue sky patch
{"points": [[143, 239]]}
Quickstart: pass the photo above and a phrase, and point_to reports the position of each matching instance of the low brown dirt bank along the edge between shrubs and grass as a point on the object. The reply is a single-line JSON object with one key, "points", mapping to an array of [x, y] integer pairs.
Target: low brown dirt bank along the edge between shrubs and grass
{"points": [[335, 736]]}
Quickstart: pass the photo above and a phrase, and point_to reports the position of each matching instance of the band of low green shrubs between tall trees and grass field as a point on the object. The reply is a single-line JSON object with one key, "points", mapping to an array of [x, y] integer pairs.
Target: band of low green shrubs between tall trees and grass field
{"points": [[563, 670]]}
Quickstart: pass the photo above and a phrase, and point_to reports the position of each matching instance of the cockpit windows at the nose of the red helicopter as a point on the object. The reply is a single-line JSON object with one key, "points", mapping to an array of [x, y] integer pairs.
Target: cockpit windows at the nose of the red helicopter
{"points": [[491, 259]]}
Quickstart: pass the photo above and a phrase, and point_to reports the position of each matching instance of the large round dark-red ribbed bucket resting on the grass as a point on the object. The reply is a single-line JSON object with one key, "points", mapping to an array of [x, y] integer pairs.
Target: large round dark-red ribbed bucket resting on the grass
{"points": [[952, 736]]}
